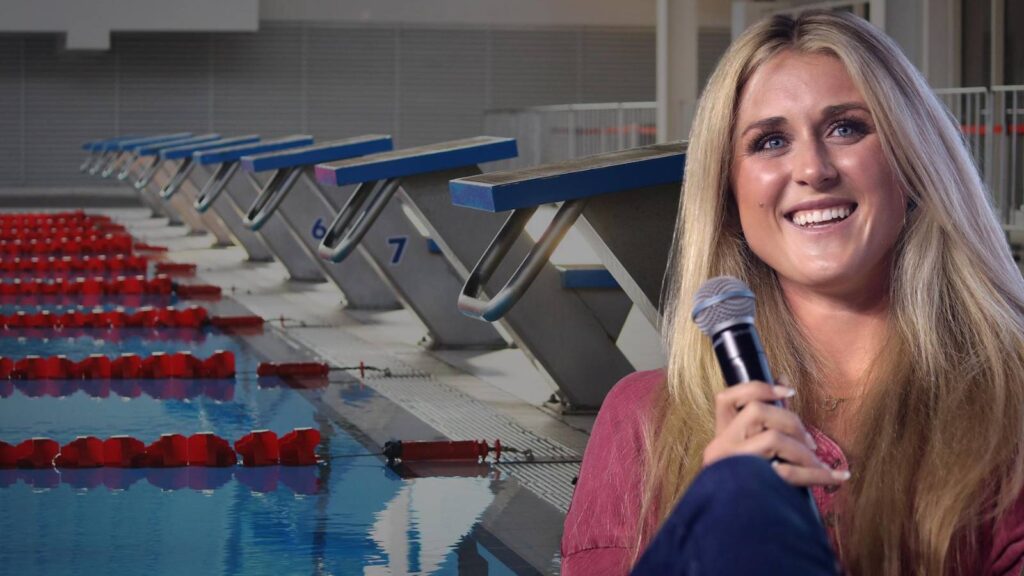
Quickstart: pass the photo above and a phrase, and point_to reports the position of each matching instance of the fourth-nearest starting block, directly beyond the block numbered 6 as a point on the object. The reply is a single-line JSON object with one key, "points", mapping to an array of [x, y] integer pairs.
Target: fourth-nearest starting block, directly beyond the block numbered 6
{"points": [[223, 163]]}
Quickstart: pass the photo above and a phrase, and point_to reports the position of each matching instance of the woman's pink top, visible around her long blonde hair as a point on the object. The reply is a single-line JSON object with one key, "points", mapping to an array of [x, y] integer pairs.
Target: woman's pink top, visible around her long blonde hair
{"points": [[600, 537]]}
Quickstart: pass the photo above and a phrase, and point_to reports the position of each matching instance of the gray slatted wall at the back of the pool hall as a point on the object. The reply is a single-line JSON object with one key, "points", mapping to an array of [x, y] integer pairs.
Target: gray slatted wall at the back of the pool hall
{"points": [[418, 85]]}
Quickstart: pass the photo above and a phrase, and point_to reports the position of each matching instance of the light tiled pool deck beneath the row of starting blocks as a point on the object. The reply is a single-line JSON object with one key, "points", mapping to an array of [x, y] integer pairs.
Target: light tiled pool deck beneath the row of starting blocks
{"points": [[457, 395]]}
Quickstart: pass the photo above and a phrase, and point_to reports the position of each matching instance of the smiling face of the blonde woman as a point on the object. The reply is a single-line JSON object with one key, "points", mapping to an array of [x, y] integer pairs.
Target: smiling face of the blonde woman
{"points": [[817, 197]]}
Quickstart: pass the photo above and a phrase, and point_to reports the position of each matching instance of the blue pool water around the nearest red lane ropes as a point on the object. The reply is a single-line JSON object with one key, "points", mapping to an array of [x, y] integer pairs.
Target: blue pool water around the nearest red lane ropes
{"points": [[352, 515]]}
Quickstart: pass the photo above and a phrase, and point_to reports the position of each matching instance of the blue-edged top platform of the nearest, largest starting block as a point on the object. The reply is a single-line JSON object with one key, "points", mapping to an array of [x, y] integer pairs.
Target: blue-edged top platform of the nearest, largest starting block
{"points": [[583, 178]]}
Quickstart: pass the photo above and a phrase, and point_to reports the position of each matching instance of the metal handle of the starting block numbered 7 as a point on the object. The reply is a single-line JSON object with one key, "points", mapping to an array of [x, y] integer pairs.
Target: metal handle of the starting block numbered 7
{"points": [[344, 236]]}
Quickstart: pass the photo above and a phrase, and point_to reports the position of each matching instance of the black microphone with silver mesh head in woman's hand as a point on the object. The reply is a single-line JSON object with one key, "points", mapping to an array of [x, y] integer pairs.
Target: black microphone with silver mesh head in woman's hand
{"points": [[723, 309]]}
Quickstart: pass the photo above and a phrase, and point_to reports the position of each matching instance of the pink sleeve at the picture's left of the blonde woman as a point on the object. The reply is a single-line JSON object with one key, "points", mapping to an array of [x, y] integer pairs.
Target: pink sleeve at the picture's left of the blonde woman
{"points": [[601, 528]]}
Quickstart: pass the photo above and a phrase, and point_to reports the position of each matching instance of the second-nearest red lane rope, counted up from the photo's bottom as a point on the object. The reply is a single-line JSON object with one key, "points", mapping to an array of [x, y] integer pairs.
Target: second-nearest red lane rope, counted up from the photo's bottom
{"points": [[129, 366]]}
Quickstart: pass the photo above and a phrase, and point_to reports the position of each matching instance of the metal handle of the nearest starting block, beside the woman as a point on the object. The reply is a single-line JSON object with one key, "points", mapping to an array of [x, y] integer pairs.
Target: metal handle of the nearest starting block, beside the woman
{"points": [[473, 304]]}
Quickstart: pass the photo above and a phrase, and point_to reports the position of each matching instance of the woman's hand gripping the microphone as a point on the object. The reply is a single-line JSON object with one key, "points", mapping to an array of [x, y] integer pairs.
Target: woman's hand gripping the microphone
{"points": [[747, 423]]}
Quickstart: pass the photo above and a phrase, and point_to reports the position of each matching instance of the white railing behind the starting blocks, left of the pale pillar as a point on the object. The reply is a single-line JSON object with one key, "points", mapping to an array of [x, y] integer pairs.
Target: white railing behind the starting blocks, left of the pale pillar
{"points": [[552, 134]]}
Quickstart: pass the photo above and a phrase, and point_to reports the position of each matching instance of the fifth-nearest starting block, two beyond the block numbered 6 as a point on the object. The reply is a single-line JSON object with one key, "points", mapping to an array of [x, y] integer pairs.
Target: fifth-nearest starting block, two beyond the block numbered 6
{"points": [[182, 190]]}
